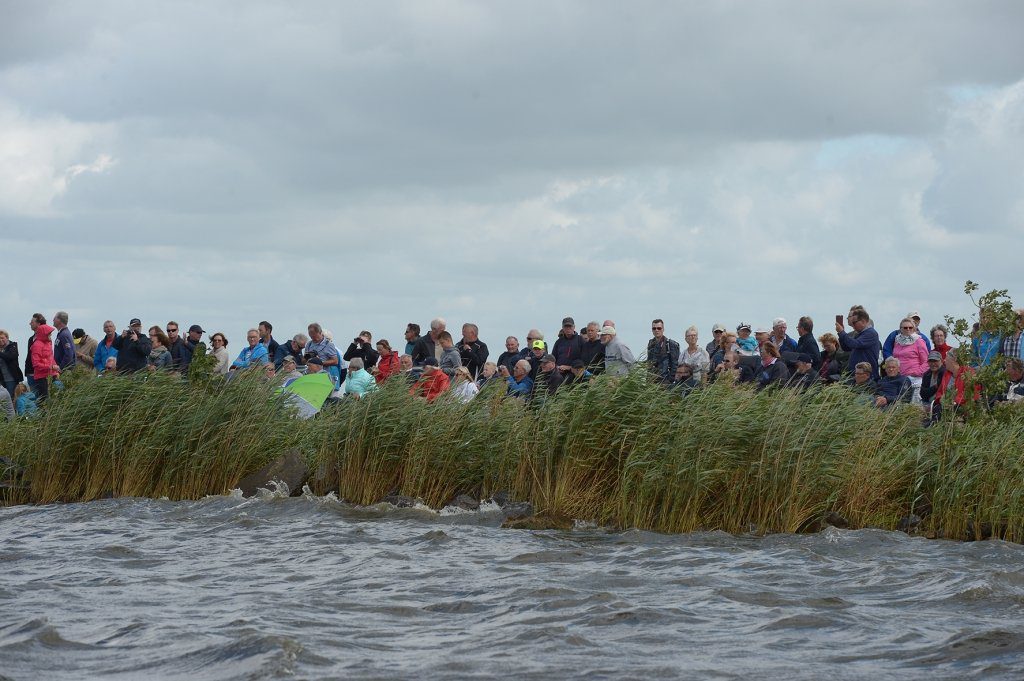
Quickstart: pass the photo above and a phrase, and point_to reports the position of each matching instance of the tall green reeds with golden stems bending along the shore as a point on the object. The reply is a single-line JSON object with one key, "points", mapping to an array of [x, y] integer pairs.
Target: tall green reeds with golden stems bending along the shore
{"points": [[623, 453]]}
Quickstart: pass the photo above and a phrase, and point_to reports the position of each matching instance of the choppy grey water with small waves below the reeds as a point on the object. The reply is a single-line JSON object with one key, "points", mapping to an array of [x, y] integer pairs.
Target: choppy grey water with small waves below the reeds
{"points": [[311, 588]]}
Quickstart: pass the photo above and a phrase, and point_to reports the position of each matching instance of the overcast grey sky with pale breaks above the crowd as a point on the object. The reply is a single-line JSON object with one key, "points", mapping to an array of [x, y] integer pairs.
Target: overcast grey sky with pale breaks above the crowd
{"points": [[365, 165]]}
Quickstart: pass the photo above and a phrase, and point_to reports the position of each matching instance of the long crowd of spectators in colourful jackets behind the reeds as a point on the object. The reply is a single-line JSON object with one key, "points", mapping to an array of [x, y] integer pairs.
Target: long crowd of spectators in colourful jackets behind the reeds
{"points": [[909, 366]]}
